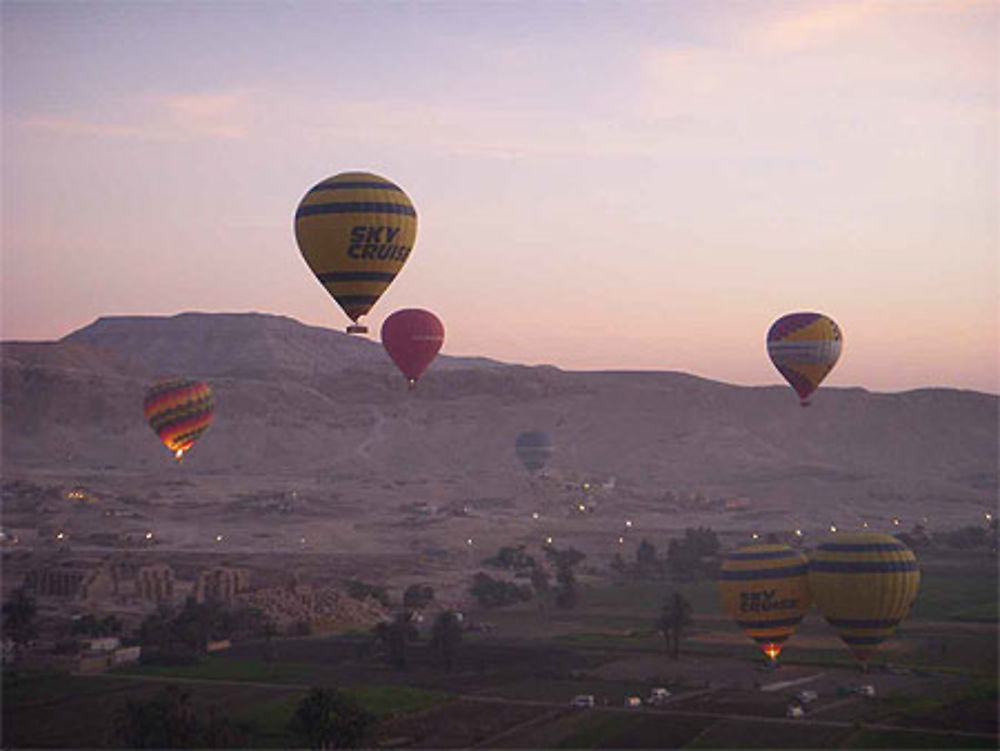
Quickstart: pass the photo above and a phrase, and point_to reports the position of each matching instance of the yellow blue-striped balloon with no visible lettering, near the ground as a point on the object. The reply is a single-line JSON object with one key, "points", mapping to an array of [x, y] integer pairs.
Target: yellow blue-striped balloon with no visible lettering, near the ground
{"points": [[863, 585]]}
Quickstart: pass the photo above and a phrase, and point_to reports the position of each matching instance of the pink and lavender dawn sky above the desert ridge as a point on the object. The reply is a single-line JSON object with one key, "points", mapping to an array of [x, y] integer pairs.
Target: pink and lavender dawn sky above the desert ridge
{"points": [[628, 186]]}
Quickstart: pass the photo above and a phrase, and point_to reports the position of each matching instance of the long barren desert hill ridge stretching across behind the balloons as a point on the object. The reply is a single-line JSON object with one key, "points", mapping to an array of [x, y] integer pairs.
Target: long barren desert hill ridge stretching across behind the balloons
{"points": [[302, 401]]}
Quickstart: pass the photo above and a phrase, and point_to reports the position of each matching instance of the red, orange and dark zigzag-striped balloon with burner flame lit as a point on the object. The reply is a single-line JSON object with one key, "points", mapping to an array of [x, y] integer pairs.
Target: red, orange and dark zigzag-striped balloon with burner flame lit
{"points": [[179, 410]]}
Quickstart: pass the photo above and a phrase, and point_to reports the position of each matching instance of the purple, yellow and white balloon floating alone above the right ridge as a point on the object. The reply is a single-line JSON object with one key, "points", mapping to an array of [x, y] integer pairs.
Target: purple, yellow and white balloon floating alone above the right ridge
{"points": [[804, 347]]}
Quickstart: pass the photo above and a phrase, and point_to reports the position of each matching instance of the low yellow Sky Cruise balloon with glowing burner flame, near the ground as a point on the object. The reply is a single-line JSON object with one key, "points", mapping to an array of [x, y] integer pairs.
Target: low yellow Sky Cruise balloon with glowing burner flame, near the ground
{"points": [[765, 589]]}
